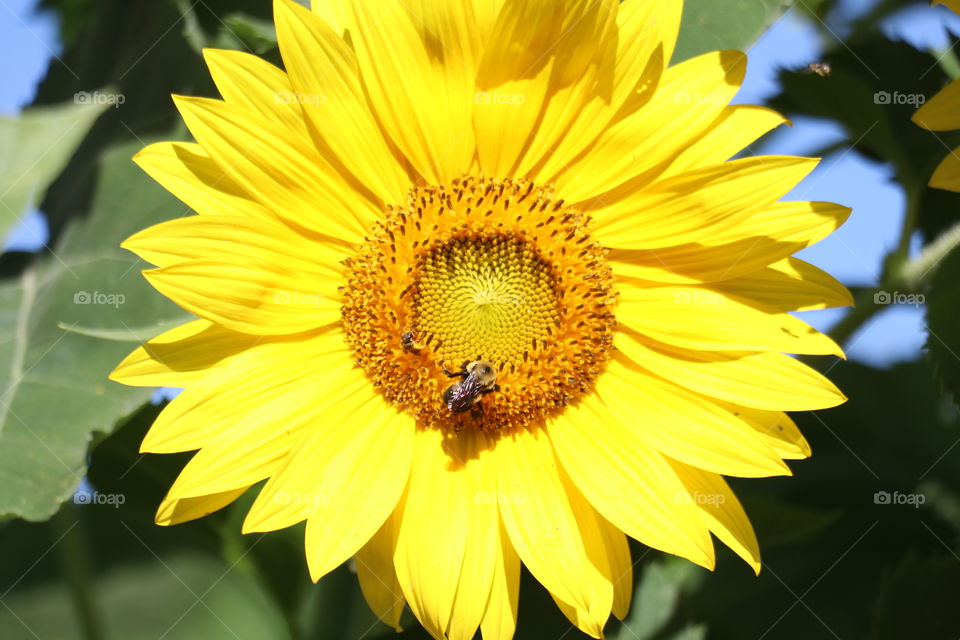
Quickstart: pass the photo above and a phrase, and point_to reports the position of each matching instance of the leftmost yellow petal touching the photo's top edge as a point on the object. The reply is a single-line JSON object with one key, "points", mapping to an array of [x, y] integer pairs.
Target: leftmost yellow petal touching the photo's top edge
{"points": [[324, 72]]}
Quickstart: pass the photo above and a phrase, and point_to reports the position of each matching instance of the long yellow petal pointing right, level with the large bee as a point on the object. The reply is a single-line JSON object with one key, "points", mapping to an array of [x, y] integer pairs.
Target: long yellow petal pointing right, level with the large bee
{"points": [[770, 381]]}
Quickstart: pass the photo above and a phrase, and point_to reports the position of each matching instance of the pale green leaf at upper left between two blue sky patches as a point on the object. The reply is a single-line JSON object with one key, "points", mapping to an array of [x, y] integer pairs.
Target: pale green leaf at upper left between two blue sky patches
{"points": [[35, 147]]}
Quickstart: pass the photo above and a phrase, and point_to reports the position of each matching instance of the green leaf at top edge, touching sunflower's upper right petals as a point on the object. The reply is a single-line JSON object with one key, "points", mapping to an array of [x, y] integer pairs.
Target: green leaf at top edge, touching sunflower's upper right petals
{"points": [[715, 25]]}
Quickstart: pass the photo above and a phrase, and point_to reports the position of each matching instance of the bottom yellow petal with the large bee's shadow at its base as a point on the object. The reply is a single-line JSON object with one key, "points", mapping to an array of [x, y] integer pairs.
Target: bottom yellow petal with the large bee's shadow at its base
{"points": [[446, 546]]}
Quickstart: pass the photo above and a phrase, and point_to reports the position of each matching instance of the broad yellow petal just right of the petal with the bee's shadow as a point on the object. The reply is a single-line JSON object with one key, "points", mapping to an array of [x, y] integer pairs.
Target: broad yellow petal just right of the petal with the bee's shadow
{"points": [[555, 531]]}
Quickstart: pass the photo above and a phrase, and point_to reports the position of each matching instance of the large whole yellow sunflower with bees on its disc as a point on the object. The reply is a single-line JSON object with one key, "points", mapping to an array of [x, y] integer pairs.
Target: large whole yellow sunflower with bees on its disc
{"points": [[477, 285]]}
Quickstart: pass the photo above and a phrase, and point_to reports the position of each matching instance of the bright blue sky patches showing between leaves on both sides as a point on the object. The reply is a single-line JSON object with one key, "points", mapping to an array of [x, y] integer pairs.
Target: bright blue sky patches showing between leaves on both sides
{"points": [[853, 254]]}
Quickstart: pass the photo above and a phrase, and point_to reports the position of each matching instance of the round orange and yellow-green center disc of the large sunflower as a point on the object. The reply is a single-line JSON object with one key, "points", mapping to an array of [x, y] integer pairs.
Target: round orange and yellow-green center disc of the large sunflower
{"points": [[481, 269]]}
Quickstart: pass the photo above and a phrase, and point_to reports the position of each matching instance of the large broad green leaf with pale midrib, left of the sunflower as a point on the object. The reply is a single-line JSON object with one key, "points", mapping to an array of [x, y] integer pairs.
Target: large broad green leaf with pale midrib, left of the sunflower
{"points": [[53, 383]]}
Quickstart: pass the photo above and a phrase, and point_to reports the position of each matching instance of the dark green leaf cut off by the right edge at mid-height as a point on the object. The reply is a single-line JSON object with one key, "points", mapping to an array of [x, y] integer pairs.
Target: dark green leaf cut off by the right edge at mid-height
{"points": [[943, 311]]}
